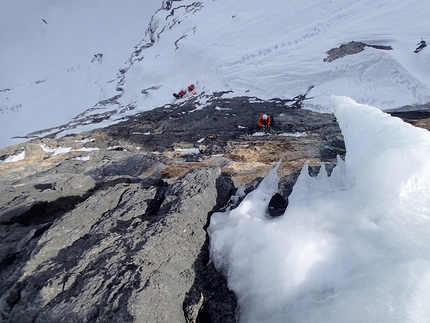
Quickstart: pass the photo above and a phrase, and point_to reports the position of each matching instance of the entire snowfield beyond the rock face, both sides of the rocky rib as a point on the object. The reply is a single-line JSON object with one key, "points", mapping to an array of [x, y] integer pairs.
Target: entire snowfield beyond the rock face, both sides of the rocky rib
{"points": [[51, 72]]}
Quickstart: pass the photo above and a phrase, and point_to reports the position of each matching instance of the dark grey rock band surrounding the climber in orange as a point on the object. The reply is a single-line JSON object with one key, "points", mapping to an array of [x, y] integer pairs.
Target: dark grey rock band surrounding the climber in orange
{"points": [[220, 121]]}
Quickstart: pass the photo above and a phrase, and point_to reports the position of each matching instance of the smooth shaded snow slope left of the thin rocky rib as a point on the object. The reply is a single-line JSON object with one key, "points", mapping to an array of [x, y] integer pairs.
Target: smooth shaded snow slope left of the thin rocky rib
{"points": [[49, 63]]}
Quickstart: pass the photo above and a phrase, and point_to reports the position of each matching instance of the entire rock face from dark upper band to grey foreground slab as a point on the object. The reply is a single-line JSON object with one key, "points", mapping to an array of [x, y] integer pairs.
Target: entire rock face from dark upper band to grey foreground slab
{"points": [[113, 230]]}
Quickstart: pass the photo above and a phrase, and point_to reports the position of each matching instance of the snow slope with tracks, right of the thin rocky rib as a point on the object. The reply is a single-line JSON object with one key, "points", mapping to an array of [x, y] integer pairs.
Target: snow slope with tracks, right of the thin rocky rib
{"points": [[276, 49]]}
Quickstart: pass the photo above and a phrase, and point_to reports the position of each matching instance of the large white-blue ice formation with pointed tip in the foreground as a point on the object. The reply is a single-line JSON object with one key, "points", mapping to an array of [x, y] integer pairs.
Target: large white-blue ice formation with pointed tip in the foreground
{"points": [[359, 239]]}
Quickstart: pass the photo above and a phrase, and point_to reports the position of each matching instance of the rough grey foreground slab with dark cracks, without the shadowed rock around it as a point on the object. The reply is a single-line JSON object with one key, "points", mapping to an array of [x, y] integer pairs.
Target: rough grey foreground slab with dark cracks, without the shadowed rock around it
{"points": [[127, 253]]}
